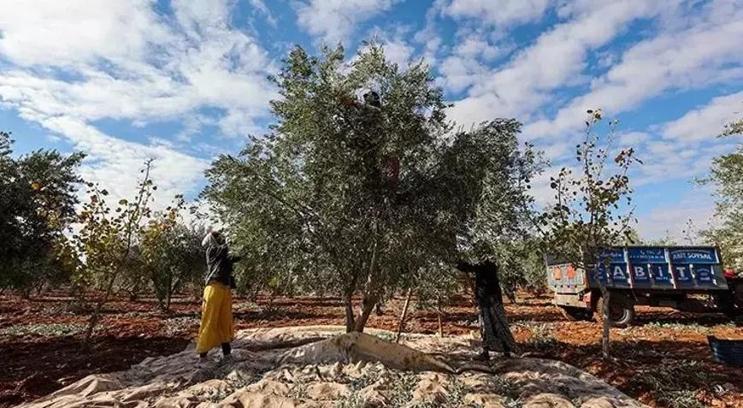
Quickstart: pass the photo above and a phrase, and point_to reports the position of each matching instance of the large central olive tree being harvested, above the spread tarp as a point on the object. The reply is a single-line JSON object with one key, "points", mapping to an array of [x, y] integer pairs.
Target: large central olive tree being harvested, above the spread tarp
{"points": [[350, 195]]}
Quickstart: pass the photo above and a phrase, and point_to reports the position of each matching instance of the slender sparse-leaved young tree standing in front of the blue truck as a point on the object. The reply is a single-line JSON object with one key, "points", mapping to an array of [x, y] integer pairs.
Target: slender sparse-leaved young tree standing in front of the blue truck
{"points": [[586, 215]]}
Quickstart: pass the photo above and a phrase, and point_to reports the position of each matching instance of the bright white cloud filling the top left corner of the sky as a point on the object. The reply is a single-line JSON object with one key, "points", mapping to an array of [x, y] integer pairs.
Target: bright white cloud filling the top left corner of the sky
{"points": [[71, 32]]}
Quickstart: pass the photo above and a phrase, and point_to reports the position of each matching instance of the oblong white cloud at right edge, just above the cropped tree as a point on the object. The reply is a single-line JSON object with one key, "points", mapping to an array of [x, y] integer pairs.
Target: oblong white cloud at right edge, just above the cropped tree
{"points": [[706, 122]]}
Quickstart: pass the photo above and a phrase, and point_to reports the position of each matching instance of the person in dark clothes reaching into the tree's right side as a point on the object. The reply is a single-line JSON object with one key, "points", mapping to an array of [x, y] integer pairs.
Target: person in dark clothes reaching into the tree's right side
{"points": [[494, 330]]}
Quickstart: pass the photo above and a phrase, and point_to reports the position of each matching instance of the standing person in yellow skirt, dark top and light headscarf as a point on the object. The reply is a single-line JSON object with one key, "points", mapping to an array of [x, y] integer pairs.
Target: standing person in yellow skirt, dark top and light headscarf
{"points": [[216, 315]]}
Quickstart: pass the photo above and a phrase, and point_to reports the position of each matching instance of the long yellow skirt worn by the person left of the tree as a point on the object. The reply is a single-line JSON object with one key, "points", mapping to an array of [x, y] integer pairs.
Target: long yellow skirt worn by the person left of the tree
{"points": [[216, 317]]}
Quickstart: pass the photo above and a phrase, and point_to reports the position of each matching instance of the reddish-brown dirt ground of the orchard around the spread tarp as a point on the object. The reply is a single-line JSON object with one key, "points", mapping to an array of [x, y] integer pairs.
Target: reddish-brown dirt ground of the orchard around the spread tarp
{"points": [[663, 360]]}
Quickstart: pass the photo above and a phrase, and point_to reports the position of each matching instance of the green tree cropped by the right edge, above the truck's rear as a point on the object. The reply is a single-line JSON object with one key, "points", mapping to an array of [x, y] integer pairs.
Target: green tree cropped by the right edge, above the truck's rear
{"points": [[727, 177]]}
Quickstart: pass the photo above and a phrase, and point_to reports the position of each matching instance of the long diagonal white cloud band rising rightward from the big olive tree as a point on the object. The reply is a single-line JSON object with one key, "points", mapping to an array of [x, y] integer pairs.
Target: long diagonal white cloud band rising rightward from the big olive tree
{"points": [[557, 58]]}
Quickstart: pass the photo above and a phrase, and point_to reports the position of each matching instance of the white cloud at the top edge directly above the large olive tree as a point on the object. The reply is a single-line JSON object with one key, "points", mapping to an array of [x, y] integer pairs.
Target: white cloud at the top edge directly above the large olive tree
{"points": [[334, 20]]}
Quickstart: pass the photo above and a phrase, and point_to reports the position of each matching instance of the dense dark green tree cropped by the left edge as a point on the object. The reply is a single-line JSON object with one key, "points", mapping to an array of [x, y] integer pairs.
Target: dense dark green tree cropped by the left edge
{"points": [[38, 204]]}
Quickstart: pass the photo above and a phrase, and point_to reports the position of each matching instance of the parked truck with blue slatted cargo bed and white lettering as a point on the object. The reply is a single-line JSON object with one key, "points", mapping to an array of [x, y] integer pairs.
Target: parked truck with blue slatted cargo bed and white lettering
{"points": [[686, 278]]}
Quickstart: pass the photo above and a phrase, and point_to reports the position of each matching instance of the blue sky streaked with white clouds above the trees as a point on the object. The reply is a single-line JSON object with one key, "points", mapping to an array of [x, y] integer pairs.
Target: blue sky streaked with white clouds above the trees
{"points": [[182, 81]]}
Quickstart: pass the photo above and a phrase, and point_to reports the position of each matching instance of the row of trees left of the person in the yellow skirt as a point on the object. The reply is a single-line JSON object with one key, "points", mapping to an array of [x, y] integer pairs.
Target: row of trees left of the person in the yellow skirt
{"points": [[50, 239]]}
